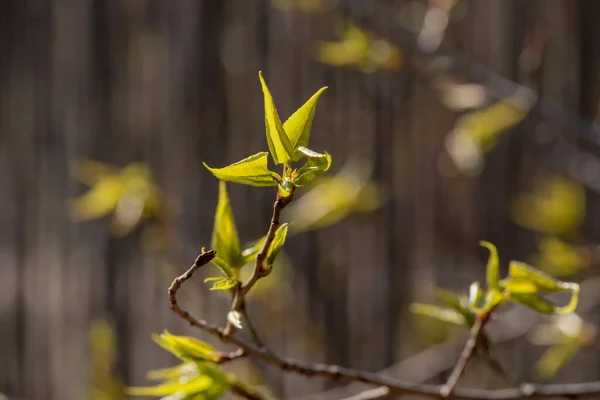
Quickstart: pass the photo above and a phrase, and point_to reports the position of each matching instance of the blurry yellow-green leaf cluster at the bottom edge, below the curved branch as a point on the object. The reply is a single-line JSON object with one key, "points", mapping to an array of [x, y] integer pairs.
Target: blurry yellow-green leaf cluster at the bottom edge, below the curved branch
{"points": [[197, 377]]}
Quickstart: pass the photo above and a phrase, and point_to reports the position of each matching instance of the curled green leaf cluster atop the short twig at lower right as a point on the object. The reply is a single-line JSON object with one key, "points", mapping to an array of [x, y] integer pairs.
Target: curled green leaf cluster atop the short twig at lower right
{"points": [[523, 285]]}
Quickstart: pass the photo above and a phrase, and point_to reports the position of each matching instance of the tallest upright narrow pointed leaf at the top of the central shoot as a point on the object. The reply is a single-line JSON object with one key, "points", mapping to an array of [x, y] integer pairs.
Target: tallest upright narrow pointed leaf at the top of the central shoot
{"points": [[279, 143]]}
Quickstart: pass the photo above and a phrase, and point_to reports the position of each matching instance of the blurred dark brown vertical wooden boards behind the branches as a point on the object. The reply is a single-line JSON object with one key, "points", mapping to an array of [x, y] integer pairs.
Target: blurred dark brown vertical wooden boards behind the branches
{"points": [[174, 84]]}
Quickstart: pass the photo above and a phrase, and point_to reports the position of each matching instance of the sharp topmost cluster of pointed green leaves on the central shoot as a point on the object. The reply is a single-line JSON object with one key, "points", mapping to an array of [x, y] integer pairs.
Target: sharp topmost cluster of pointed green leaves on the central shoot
{"points": [[287, 143]]}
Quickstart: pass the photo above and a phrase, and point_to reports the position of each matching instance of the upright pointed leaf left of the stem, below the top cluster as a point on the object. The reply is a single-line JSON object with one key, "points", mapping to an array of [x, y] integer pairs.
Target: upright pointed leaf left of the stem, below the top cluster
{"points": [[225, 238]]}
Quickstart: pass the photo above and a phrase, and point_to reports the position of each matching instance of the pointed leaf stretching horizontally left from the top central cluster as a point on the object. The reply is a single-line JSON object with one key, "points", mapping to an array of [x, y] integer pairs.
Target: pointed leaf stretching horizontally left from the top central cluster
{"points": [[251, 171]]}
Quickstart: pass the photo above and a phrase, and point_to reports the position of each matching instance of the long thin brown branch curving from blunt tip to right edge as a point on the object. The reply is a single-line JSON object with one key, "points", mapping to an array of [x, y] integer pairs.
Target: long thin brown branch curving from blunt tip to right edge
{"points": [[347, 375]]}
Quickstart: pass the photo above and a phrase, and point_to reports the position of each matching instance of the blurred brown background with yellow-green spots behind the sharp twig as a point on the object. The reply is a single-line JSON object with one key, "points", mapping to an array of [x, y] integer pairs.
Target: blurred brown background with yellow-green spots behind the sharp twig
{"points": [[449, 122]]}
